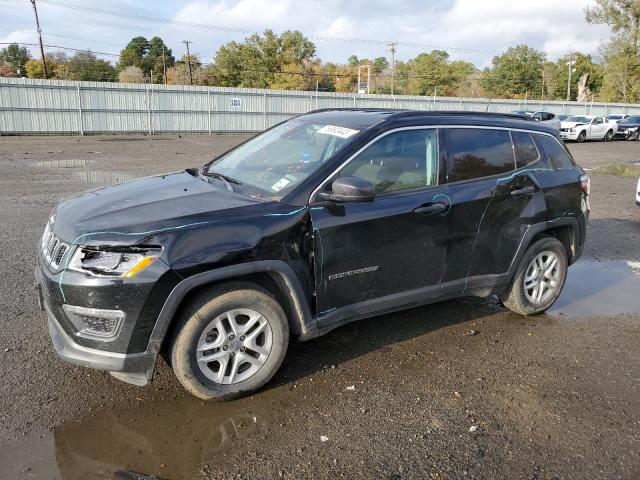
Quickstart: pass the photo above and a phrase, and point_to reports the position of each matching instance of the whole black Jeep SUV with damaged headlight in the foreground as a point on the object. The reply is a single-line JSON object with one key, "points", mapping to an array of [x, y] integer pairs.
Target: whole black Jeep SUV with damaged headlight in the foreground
{"points": [[327, 218]]}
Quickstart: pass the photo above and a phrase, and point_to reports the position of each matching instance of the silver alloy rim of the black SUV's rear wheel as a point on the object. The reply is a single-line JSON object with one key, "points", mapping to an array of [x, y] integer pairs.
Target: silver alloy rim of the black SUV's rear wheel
{"points": [[542, 278]]}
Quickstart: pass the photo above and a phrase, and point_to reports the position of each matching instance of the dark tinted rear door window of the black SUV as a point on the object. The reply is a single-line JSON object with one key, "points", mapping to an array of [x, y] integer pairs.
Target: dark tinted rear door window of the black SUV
{"points": [[475, 153]]}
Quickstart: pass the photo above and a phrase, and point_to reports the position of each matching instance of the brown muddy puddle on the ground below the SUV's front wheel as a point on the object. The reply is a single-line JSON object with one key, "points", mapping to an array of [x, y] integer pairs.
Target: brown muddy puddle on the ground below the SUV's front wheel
{"points": [[169, 440]]}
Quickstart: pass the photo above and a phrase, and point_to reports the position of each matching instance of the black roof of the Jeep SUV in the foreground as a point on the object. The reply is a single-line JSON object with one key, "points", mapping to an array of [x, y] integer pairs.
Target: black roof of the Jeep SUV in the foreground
{"points": [[369, 117]]}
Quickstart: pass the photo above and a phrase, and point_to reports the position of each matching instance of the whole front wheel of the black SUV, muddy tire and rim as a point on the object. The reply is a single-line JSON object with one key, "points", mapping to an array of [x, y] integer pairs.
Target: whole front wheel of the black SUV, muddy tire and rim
{"points": [[210, 320]]}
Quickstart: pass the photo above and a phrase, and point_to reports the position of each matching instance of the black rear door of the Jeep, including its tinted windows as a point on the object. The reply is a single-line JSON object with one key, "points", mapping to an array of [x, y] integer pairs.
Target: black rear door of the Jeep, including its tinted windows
{"points": [[492, 199]]}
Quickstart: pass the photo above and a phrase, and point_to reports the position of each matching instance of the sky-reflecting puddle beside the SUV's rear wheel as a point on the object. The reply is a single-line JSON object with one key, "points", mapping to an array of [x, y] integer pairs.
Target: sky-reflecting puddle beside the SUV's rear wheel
{"points": [[603, 288]]}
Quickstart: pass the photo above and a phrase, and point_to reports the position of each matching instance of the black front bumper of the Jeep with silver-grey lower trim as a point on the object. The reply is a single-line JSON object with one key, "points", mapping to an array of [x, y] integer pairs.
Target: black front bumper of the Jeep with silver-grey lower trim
{"points": [[128, 356]]}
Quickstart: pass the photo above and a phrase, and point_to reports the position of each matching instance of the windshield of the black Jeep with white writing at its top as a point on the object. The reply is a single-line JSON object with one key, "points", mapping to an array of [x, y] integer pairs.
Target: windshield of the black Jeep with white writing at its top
{"points": [[272, 164]]}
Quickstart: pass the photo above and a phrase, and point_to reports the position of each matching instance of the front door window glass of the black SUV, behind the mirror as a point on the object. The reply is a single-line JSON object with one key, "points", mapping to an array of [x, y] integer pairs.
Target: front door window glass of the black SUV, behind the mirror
{"points": [[403, 160]]}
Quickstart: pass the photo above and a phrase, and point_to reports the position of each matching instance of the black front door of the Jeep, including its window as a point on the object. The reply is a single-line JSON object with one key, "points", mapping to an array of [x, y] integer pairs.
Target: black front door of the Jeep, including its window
{"points": [[393, 245]]}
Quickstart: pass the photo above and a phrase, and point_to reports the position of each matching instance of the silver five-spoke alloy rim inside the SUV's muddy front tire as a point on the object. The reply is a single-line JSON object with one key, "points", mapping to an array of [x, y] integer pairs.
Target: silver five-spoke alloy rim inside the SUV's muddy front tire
{"points": [[234, 346]]}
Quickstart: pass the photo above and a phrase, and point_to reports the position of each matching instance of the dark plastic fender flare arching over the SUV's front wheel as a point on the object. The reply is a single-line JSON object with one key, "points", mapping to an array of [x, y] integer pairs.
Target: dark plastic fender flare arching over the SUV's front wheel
{"points": [[303, 322]]}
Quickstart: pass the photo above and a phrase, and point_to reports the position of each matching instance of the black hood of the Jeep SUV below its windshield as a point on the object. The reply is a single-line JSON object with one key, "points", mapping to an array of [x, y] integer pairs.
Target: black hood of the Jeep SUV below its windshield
{"points": [[133, 209]]}
